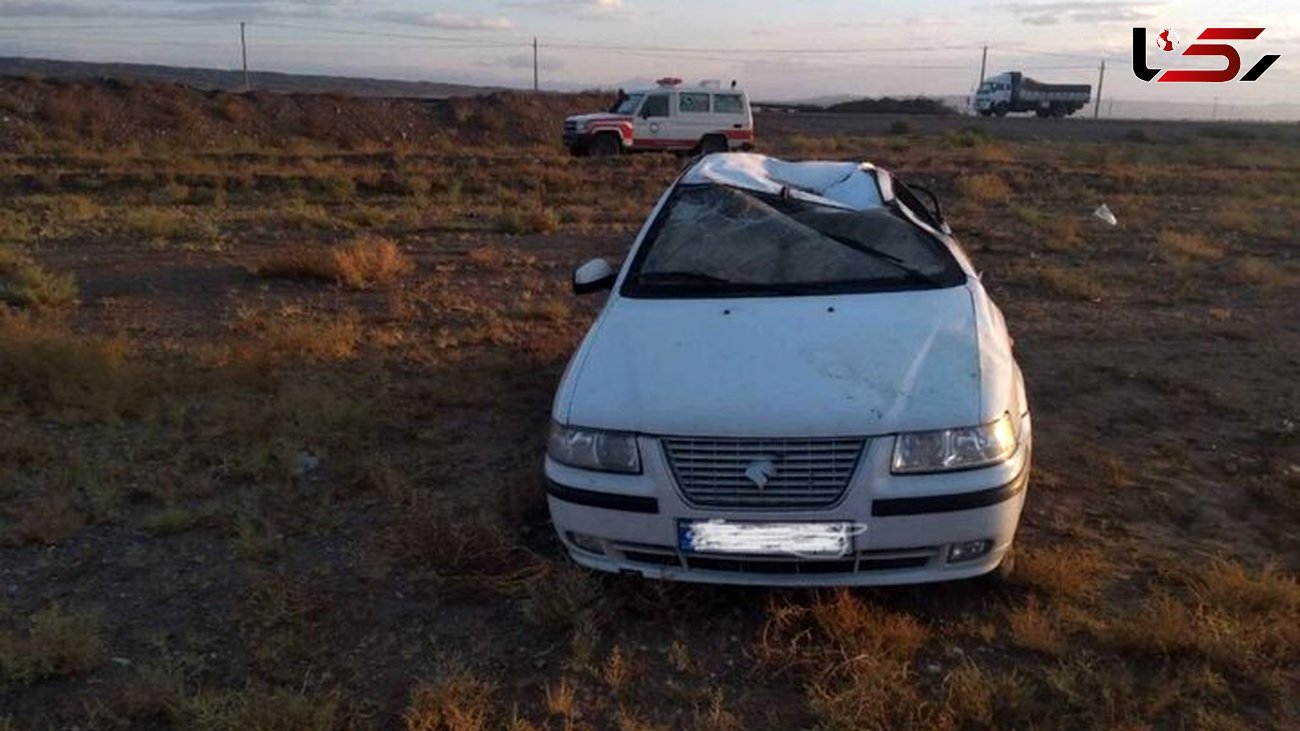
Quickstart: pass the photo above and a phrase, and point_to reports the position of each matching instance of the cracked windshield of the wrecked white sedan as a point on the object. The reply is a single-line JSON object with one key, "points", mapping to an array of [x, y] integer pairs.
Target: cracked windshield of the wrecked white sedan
{"points": [[722, 241]]}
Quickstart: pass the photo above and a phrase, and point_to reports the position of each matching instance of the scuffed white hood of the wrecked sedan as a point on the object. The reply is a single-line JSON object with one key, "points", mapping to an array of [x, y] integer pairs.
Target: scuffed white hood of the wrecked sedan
{"points": [[779, 367]]}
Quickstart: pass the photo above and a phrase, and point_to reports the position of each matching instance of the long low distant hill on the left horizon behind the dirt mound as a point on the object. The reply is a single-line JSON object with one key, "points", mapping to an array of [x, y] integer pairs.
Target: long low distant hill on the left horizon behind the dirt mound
{"points": [[233, 80]]}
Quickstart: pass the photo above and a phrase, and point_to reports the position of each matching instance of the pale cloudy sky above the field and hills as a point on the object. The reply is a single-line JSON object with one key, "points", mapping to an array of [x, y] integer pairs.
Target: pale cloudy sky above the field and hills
{"points": [[779, 50]]}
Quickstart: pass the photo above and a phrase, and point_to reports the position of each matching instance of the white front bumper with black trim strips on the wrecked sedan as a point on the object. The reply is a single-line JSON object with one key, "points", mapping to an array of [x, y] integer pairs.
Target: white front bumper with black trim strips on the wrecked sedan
{"points": [[629, 524]]}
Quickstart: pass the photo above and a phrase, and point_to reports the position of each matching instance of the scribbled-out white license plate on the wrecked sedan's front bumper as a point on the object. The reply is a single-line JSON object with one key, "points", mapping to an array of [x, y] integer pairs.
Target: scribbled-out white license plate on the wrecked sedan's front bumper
{"points": [[801, 540]]}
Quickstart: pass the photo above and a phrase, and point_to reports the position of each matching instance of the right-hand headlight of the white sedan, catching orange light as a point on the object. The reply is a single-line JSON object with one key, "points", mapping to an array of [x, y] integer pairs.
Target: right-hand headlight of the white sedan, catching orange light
{"points": [[955, 449]]}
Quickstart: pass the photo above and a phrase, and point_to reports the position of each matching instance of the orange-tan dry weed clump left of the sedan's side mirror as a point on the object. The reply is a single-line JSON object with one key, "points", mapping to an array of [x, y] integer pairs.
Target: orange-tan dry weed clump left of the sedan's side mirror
{"points": [[362, 263]]}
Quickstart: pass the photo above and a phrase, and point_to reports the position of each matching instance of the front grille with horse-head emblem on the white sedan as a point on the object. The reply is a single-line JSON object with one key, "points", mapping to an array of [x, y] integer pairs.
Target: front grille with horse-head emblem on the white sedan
{"points": [[800, 473]]}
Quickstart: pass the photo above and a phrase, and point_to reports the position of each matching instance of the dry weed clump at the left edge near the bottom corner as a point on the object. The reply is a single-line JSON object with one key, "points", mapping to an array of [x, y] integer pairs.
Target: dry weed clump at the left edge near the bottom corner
{"points": [[57, 643]]}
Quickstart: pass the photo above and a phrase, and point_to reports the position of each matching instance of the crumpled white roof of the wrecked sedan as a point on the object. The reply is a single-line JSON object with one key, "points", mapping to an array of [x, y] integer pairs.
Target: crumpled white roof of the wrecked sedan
{"points": [[844, 185]]}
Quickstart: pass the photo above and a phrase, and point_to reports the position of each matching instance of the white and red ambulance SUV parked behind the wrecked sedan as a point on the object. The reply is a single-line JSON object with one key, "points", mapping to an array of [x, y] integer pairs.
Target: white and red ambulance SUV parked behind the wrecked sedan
{"points": [[668, 118]]}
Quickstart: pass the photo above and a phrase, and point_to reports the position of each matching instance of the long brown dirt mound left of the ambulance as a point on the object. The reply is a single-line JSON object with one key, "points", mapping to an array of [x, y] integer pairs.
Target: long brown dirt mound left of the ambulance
{"points": [[114, 114]]}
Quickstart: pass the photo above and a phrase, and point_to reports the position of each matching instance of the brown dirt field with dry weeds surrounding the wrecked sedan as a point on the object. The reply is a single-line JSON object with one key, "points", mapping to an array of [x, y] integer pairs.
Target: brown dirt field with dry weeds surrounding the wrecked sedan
{"points": [[272, 418]]}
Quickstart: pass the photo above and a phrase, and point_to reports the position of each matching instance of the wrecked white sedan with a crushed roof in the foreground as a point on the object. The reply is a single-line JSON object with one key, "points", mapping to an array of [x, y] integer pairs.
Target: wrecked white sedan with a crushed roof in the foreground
{"points": [[798, 379]]}
